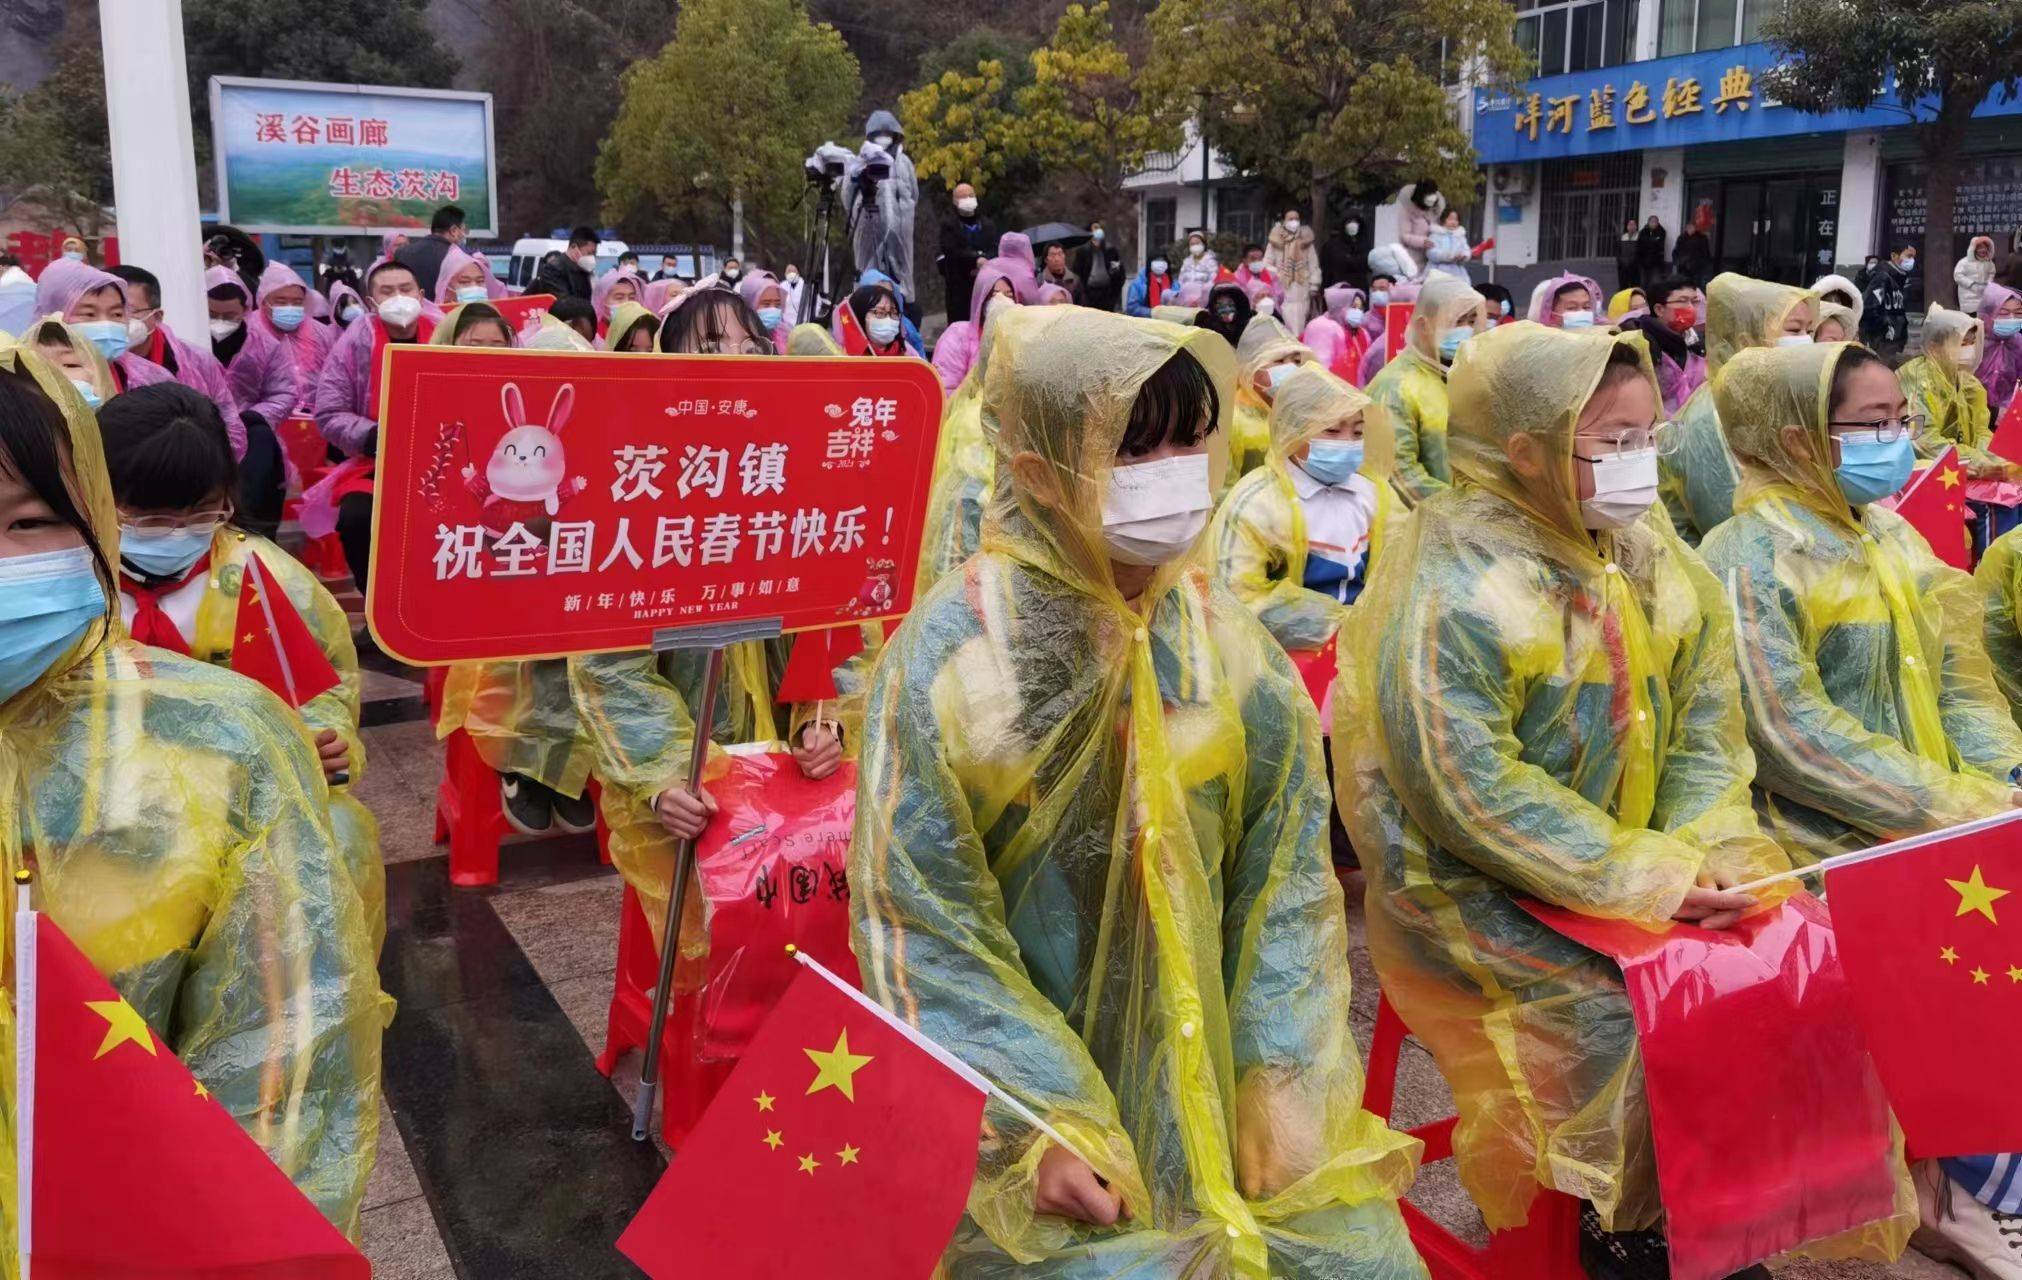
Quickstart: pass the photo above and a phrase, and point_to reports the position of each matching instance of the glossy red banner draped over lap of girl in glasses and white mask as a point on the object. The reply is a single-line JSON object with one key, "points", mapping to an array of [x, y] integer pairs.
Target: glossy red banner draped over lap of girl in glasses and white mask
{"points": [[1766, 1113]]}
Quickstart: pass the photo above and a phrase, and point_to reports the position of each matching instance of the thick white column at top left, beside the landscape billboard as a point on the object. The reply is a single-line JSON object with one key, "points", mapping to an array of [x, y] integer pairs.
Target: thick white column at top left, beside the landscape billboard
{"points": [[155, 157]]}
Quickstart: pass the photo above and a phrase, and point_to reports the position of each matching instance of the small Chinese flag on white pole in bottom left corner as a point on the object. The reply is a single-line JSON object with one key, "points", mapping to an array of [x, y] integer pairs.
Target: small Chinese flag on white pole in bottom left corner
{"points": [[128, 1166]]}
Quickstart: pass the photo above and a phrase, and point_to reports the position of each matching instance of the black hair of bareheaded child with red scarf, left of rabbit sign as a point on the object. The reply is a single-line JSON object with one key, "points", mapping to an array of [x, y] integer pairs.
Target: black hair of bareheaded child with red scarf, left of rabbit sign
{"points": [[167, 448]]}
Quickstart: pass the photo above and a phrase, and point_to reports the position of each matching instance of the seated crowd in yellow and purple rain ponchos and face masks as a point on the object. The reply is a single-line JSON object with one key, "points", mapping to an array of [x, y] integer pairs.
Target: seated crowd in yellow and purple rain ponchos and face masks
{"points": [[1101, 816]]}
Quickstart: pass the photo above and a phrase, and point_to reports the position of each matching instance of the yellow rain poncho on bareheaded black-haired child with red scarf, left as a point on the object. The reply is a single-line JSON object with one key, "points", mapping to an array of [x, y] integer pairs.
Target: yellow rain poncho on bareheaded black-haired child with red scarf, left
{"points": [[335, 711]]}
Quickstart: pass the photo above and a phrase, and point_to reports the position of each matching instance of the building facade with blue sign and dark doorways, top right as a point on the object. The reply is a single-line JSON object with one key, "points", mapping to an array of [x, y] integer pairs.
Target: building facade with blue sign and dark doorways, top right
{"points": [[1657, 108]]}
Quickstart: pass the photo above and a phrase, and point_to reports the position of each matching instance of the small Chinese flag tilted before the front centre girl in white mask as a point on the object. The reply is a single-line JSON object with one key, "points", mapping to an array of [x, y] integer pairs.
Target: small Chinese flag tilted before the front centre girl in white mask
{"points": [[842, 1146]]}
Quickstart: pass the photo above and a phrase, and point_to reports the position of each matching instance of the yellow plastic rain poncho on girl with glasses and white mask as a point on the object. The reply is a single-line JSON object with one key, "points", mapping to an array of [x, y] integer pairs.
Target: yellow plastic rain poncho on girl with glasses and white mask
{"points": [[1536, 711]]}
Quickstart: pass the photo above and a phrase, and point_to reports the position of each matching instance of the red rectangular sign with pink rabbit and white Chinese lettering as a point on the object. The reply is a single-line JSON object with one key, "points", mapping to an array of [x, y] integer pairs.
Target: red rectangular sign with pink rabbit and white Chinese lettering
{"points": [[539, 505]]}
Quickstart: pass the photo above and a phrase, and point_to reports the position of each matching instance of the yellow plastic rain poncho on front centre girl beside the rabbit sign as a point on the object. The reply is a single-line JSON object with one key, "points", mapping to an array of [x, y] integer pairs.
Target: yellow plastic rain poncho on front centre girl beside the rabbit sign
{"points": [[1091, 850]]}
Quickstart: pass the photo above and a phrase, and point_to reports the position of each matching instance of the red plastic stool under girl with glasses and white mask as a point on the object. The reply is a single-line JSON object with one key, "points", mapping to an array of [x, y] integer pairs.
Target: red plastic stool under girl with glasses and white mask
{"points": [[1544, 1249]]}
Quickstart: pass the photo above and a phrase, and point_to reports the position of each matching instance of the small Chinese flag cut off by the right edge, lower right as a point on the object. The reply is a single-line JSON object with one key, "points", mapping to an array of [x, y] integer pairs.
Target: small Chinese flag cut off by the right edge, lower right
{"points": [[1932, 941]]}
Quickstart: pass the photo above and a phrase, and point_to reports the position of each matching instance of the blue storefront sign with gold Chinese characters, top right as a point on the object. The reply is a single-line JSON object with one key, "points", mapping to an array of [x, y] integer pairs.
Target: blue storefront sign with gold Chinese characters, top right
{"points": [[1687, 100]]}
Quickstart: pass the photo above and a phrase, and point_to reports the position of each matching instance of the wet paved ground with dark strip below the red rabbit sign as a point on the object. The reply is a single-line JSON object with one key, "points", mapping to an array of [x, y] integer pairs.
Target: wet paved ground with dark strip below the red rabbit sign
{"points": [[502, 1152]]}
